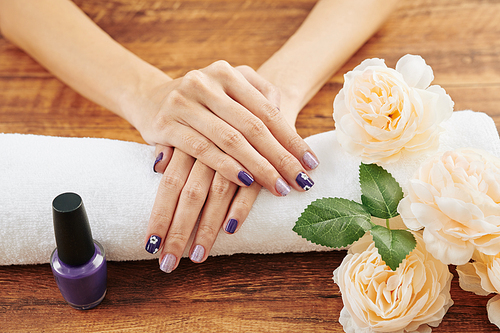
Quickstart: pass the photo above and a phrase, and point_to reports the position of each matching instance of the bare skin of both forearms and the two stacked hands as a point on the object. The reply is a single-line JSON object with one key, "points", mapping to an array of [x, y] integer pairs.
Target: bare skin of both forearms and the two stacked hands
{"points": [[222, 119]]}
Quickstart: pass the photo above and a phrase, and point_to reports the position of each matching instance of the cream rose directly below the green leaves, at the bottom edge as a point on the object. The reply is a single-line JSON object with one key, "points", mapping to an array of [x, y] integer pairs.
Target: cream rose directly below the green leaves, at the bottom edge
{"points": [[377, 299]]}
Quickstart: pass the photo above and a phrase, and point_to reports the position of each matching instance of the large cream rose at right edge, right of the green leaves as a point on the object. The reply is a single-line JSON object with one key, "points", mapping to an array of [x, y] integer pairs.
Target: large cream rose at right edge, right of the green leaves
{"points": [[456, 197]]}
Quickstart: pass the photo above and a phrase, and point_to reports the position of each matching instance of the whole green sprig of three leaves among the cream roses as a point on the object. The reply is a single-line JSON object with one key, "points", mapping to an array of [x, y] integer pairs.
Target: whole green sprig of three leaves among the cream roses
{"points": [[338, 222]]}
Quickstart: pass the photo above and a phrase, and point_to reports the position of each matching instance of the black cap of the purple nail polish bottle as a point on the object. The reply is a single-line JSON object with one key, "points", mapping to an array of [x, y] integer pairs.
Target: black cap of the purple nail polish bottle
{"points": [[75, 245]]}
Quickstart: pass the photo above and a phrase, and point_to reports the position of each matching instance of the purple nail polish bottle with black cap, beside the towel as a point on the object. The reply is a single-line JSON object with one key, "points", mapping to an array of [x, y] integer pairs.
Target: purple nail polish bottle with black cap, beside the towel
{"points": [[79, 262]]}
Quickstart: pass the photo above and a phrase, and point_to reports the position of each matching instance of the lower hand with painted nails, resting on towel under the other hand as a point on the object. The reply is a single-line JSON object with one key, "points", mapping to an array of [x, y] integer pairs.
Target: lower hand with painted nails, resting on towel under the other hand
{"points": [[188, 191]]}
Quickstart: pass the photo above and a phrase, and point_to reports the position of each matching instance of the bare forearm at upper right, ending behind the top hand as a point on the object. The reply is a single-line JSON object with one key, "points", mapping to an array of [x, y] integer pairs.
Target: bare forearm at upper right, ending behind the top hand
{"points": [[329, 36]]}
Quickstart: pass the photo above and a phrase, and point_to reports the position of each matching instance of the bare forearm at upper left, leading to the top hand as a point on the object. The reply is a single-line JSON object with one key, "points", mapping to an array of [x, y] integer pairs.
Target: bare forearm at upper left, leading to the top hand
{"points": [[64, 40]]}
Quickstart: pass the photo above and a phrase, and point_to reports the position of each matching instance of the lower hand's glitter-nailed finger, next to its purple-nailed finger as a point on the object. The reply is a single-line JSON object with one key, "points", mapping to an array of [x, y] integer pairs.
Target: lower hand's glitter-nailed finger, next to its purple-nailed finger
{"points": [[216, 207]]}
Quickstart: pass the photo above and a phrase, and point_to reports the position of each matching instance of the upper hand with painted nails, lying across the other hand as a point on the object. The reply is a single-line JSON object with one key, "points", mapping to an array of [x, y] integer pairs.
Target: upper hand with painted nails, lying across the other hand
{"points": [[221, 116]]}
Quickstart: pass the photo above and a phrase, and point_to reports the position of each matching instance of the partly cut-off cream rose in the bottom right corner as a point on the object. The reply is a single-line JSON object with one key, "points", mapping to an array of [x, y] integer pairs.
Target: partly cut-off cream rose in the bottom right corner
{"points": [[483, 277]]}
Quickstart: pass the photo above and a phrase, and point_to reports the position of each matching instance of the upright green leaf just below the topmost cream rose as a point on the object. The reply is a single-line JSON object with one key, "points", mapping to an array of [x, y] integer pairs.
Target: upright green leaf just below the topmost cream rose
{"points": [[381, 193]]}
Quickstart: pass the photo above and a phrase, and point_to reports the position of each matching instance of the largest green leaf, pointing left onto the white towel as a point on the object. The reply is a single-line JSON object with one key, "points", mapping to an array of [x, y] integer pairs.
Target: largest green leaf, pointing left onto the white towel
{"points": [[333, 222]]}
